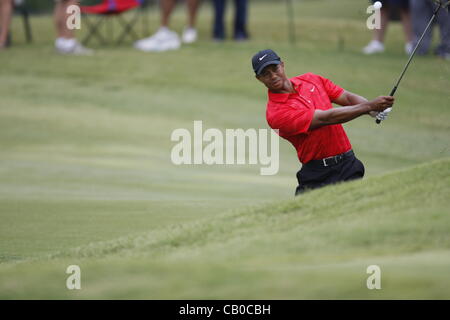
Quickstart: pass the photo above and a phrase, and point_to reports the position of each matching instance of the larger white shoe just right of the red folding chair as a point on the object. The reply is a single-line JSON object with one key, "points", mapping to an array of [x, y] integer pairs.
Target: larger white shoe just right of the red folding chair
{"points": [[164, 39]]}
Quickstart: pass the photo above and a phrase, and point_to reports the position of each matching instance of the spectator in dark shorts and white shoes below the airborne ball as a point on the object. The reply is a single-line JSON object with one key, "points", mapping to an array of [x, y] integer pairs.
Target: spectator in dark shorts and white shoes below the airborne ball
{"points": [[377, 43]]}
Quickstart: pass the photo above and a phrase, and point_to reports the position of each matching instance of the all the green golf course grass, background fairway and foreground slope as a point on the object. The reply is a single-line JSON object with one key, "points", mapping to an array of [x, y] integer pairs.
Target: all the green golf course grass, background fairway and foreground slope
{"points": [[86, 176]]}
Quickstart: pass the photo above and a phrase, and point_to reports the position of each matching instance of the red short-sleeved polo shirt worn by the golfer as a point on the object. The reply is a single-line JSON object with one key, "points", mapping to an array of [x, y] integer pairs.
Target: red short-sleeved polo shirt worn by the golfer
{"points": [[292, 113]]}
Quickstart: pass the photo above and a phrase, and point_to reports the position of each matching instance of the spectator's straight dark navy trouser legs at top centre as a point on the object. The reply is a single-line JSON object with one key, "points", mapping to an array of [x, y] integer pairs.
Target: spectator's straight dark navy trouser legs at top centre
{"points": [[240, 20]]}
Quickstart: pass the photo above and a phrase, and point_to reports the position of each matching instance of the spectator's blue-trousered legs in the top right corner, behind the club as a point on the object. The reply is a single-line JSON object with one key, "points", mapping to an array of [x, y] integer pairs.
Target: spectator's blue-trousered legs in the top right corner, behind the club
{"points": [[422, 11]]}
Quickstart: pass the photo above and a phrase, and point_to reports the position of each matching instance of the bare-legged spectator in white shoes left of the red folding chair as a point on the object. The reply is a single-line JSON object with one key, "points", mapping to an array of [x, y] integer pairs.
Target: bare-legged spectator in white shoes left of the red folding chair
{"points": [[65, 42]]}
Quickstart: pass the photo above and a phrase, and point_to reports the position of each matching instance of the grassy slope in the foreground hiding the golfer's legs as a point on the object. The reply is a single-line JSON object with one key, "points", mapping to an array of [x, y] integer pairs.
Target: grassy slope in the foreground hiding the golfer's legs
{"points": [[317, 246]]}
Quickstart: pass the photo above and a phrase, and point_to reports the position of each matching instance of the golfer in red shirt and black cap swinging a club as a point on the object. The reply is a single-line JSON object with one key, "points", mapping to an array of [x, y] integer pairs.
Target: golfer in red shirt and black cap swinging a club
{"points": [[301, 109]]}
